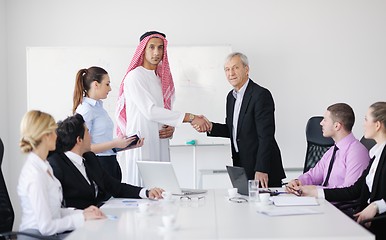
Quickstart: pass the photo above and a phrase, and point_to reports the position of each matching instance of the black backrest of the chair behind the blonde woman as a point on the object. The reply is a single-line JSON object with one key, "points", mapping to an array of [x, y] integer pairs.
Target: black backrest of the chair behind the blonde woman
{"points": [[6, 211]]}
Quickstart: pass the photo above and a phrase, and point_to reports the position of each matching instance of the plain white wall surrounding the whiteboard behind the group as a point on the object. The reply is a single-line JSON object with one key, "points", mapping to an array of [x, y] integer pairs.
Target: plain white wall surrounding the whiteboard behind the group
{"points": [[310, 54]]}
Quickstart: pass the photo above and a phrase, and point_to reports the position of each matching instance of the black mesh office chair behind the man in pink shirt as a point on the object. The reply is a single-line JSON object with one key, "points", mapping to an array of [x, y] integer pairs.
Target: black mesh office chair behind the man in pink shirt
{"points": [[317, 145]]}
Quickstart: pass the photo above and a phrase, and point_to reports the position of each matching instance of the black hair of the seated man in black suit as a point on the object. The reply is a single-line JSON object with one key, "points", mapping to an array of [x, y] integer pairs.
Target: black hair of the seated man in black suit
{"points": [[68, 131]]}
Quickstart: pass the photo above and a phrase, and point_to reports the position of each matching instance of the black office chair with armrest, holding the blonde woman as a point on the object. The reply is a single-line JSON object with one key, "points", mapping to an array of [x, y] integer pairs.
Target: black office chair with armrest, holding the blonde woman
{"points": [[7, 214]]}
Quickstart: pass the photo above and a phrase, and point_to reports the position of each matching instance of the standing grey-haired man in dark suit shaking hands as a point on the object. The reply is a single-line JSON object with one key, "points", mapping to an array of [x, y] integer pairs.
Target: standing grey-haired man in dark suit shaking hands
{"points": [[250, 124]]}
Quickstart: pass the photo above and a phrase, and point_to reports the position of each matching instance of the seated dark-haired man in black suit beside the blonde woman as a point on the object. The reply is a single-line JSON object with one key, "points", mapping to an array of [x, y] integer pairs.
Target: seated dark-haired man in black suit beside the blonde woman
{"points": [[83, 180]]}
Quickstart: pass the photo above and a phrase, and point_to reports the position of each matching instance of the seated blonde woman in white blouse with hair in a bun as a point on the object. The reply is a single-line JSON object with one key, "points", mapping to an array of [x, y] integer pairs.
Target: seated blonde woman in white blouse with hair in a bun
{"points": [[39, 191]]}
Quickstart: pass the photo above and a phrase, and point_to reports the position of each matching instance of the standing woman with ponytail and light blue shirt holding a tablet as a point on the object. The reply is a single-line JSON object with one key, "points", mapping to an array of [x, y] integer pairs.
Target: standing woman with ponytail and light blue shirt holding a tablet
{"points": [[91, 86]]}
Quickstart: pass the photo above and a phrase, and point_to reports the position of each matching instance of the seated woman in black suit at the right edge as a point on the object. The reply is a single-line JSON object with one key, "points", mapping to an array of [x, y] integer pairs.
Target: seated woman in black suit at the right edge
{"points": [[370, 188]]}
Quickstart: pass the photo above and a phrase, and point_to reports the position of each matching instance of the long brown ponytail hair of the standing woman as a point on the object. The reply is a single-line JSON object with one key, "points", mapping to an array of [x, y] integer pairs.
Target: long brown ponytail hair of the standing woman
{"points": [[83, 81]]}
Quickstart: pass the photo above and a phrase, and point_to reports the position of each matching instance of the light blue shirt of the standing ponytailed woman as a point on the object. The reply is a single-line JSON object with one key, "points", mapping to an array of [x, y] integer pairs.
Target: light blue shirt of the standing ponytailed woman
{"points": [[98, 121]]}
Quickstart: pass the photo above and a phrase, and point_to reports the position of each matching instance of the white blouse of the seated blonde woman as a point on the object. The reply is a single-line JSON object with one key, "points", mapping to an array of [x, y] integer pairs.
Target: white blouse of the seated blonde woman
{"points": [[41, 196]]}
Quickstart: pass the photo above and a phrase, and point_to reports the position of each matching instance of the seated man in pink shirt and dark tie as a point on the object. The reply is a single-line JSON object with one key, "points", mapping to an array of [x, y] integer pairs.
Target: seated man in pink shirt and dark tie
{"points": [[343, 163]]}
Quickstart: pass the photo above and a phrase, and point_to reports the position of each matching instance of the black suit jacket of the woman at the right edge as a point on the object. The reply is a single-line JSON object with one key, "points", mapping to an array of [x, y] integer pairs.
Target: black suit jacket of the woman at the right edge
{"points": [[360, 190]]}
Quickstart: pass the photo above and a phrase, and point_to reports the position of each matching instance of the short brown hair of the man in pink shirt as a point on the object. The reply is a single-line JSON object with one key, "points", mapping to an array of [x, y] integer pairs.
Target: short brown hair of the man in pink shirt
{"points": [[343, 113]]}
